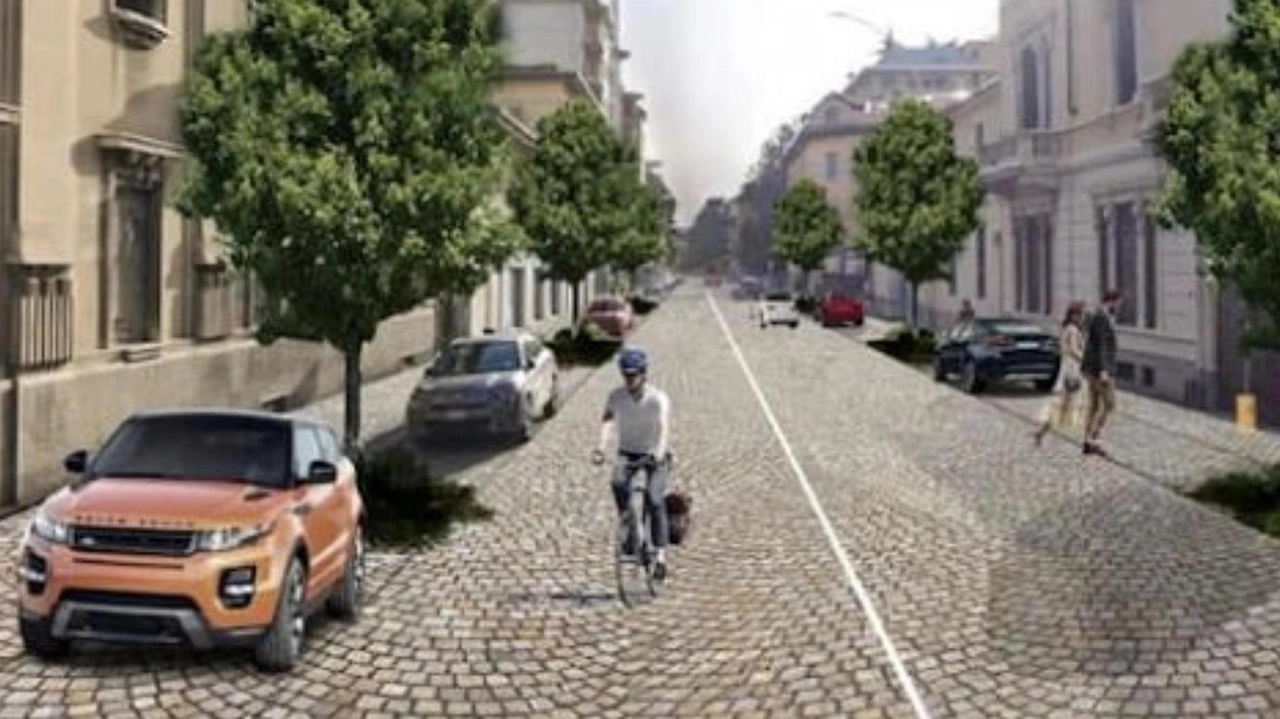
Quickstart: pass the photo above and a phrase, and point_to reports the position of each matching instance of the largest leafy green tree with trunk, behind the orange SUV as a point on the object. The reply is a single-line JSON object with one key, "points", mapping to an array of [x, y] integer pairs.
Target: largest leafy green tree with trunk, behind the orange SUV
{"points": [[345, 150]]}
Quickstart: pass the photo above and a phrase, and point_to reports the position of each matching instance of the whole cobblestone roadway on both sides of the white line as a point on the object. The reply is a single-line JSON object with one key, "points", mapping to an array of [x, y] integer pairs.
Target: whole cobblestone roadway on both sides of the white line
{"points": [[1013, 583]]}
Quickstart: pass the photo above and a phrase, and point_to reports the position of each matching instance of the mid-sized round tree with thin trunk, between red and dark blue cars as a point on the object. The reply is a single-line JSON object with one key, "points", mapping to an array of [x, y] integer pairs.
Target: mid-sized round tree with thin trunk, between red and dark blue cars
{"points": [[917, 200]]}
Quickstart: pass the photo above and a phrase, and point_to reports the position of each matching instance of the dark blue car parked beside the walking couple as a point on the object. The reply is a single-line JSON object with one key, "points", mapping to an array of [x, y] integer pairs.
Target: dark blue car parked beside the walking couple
{"points": [[998, 350]]}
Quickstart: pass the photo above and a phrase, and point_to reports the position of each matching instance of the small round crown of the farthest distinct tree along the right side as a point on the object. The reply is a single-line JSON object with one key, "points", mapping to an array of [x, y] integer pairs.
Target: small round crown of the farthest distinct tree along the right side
{"points": [[806, 227]]}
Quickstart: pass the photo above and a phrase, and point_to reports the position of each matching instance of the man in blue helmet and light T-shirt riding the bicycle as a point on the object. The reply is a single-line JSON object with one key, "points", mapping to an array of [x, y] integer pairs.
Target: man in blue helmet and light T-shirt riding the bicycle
{"points": [[643, 416]]}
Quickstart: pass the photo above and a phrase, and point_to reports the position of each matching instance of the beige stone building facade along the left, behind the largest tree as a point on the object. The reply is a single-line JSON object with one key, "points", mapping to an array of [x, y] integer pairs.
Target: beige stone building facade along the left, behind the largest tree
{"points": [[112, 300]]}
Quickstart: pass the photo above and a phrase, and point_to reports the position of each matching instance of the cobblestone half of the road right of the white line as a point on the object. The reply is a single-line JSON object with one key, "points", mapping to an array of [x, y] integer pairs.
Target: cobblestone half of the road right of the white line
{"points": [[1021, 583]]}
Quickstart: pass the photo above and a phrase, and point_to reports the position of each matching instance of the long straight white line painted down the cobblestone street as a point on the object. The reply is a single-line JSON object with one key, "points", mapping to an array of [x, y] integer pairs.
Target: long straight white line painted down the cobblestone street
{"points": [[904, 679]]}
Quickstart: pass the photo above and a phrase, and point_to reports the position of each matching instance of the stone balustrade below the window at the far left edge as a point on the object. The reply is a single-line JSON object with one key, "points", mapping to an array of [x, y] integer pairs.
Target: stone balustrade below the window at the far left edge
{"points": [[43, 317]]}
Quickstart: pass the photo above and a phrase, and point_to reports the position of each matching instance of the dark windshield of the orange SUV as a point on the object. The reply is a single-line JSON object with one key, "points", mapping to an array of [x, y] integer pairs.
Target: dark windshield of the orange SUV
{"points": [[199, 448]]}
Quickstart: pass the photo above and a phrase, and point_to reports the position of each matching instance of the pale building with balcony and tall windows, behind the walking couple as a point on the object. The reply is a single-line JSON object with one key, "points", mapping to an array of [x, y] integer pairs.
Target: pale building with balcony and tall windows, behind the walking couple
{"points": [[1064, 145]]}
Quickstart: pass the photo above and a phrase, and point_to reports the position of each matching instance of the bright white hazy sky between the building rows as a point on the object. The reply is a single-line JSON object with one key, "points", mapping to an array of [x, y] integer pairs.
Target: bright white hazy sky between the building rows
{"points": [[719, 76]]}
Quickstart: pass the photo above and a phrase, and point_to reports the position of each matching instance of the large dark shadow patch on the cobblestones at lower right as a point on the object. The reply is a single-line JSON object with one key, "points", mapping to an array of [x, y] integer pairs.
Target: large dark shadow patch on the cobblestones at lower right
{"points": [[1121, 581]]}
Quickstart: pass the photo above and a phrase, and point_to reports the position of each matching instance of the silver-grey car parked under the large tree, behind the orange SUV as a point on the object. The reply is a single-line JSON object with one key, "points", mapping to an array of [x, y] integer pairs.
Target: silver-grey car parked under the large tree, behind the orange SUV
{"points": [[493, 384]]}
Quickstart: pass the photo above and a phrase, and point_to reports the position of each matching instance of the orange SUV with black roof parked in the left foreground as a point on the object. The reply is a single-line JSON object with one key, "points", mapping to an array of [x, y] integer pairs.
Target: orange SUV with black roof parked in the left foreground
{"points": [[196, 528]]}
